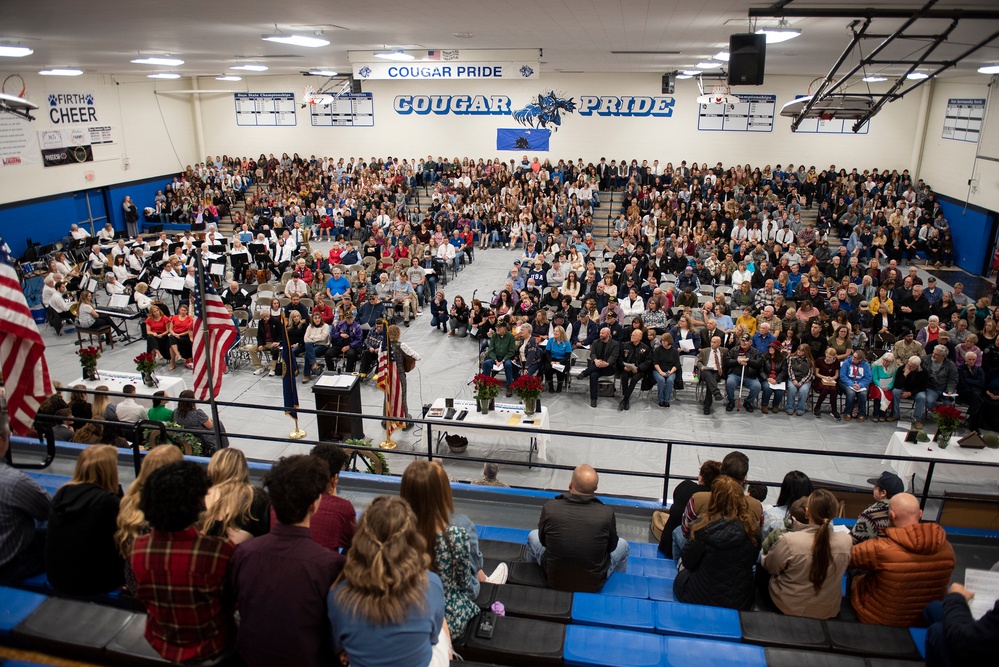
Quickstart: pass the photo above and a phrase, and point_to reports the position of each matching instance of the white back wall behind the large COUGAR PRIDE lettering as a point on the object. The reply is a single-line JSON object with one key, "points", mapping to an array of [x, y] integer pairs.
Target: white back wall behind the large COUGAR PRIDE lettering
{"points": [[888, 145]]}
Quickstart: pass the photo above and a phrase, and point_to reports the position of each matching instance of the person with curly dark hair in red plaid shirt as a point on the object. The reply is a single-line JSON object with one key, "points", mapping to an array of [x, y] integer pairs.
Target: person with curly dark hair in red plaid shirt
{"points": [[180, 574]]}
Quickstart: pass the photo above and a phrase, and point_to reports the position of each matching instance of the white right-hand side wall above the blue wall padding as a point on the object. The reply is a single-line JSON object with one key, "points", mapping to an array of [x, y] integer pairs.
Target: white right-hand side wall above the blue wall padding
{"points": [[947, 165]]}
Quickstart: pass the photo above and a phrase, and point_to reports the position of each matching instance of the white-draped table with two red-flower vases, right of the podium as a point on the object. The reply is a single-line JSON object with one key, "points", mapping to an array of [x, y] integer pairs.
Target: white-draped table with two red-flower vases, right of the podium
{"points": [[519, 431]]}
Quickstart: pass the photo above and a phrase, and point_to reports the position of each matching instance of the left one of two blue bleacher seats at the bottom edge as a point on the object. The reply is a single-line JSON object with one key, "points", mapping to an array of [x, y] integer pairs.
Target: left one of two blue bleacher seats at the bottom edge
{"points": [[608, 647]]}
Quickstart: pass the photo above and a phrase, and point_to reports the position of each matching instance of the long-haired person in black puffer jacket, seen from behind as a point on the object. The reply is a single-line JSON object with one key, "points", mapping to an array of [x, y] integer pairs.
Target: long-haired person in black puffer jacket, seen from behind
{"points": [[716, 567]]}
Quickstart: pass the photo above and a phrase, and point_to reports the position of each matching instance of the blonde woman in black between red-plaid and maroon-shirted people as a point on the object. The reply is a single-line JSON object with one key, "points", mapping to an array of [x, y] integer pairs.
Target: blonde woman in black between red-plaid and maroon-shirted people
{"points": [[234, 508]]}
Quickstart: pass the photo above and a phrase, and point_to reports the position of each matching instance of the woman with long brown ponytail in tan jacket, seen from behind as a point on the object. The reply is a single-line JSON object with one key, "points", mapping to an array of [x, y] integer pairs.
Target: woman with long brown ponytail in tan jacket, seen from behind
{"points": [[803, 570]]}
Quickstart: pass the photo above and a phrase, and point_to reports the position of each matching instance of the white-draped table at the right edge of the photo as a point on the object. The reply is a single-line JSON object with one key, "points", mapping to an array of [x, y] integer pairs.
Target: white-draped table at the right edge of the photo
{"points": [[930, 462]]}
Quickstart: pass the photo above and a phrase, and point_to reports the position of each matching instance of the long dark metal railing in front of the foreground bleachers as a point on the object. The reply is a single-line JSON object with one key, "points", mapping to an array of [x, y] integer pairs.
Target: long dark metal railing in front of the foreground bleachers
{"points": [[434, 427]]}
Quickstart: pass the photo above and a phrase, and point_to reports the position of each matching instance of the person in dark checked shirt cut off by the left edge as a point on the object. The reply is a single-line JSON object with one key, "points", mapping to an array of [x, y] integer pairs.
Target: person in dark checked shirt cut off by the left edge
{"points": [[22, 504]]}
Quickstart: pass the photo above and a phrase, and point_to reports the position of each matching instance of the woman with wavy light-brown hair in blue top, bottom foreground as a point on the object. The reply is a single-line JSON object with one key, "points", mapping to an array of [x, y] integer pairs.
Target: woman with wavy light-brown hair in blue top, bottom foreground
{"points": [[386, 609]]}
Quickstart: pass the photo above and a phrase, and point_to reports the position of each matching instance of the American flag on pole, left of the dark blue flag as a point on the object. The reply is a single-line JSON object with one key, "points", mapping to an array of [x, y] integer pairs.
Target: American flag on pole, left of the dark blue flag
{"points": [[221, 335]]}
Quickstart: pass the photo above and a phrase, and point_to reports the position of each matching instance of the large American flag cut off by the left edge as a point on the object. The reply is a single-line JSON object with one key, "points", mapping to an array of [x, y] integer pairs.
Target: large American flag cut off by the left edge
{"points": [[22, 352]]}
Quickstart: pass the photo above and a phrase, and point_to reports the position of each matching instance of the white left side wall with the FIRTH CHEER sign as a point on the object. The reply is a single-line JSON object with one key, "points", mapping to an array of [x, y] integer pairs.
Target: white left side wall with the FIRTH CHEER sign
{"points": [[154, 132]]}
